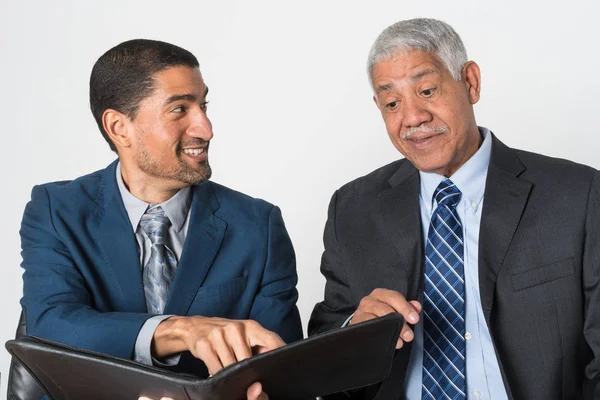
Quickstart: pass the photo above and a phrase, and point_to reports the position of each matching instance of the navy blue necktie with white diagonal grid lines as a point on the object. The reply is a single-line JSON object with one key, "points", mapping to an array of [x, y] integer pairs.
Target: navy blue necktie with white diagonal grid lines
{"points": [[444, 300]]}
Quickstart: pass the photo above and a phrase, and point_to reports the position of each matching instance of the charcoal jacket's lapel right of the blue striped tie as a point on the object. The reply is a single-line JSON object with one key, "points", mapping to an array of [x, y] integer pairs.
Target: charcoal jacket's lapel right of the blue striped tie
{"points": [[504, 202]]}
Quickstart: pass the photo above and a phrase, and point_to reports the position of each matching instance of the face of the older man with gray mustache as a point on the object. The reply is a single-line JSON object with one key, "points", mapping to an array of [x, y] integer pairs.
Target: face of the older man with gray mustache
{"points": [[427, 113]]}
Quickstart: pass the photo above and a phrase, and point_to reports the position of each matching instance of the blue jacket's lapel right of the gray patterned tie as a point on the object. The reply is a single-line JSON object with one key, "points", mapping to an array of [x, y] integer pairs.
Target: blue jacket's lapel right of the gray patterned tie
{"points": [[203, 240]]}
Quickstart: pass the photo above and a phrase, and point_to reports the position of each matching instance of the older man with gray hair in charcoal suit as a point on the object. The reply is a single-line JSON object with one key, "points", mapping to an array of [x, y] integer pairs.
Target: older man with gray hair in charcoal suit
{"points": [[491, 254]]}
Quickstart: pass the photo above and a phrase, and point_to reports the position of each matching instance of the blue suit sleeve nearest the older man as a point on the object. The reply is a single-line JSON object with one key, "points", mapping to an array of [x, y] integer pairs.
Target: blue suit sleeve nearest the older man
{"points": [[274, 305]]}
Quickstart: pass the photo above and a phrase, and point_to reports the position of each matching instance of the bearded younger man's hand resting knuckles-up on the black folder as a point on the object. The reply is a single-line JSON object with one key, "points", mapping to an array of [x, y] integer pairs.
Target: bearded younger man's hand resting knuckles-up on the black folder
{"points": [[218, 342]]}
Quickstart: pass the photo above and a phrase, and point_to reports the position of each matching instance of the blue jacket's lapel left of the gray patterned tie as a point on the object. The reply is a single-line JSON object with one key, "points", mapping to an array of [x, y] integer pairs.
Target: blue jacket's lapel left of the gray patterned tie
{"points": [[117, 240]]}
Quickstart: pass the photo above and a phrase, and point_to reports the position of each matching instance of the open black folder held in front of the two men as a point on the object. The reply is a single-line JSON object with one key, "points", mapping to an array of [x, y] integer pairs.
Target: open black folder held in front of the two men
{"points": [[335, 361]]}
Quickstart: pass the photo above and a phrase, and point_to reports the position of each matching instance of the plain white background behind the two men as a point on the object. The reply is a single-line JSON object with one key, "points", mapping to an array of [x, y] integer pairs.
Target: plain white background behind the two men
{"points": [[290, 101]]}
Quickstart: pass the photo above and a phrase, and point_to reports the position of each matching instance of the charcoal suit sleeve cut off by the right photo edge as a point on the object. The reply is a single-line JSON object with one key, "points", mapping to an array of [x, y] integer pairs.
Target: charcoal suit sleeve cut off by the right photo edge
{"points": [[591, 285]]}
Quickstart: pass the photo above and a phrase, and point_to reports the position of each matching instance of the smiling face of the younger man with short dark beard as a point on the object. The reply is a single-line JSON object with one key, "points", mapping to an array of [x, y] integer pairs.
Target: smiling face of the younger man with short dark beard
{"points": [[170, 133]]}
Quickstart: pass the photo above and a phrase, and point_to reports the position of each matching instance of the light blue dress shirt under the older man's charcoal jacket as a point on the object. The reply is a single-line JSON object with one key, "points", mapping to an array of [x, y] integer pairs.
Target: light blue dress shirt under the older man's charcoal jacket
{"points": [[484, 380]]}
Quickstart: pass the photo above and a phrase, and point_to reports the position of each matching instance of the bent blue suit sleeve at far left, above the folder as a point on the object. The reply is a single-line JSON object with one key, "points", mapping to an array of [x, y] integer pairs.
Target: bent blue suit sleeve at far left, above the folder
{"points": [[56, 301]]}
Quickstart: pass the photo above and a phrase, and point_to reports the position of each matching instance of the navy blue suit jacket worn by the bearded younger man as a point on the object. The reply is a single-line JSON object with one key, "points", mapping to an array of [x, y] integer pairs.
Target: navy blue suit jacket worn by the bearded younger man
{"points": [[82, 284]]}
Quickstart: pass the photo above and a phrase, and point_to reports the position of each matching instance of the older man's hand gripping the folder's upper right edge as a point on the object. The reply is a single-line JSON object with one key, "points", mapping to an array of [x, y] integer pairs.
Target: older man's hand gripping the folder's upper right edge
{"points": [[384, 301]]}
